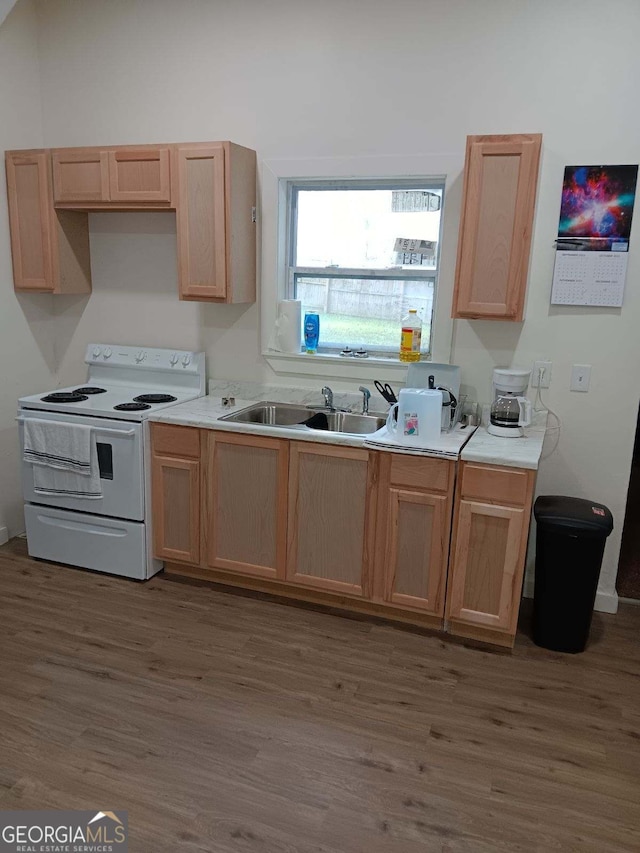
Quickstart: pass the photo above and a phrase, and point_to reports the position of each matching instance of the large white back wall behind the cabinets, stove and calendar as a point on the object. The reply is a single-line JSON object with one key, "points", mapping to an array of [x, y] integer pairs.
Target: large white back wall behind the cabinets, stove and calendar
{"points": [[302, 79]]}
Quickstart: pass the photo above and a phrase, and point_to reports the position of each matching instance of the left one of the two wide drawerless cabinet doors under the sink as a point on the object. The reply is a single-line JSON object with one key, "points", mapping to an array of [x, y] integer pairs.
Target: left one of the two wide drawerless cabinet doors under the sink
{"points": [[247, 504]]}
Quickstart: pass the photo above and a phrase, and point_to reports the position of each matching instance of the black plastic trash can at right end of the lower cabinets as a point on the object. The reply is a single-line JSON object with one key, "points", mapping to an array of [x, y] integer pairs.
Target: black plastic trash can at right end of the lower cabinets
{"points": [[570, 540]]}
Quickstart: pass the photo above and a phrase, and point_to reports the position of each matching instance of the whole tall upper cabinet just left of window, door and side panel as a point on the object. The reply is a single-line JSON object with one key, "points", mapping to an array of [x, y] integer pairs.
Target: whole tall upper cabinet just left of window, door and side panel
{"points": [[214, 187]]}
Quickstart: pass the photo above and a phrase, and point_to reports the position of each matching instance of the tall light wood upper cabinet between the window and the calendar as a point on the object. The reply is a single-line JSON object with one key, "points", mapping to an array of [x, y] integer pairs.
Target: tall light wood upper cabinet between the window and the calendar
{"points": [[500, 179]]}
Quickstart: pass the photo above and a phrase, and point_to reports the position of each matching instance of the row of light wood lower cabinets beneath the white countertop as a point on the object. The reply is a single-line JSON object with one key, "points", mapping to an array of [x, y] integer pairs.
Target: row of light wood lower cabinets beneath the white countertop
{"points": [[370, 530]]}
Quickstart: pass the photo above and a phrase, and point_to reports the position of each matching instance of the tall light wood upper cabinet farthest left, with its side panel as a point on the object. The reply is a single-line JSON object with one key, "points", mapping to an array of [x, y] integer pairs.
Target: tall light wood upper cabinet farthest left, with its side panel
{"points": [[50, 249]]}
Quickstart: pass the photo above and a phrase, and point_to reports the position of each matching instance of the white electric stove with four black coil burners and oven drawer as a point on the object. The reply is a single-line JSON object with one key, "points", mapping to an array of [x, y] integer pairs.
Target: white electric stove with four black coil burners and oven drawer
{"points": [[124, 386]]}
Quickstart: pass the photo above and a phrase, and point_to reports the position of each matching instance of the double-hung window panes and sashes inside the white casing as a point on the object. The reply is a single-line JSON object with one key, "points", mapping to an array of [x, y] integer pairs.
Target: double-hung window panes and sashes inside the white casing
{"points": [[361, 253]]}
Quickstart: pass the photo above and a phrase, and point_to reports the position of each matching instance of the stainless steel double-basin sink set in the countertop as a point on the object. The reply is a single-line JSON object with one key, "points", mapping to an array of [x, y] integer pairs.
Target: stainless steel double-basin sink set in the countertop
{"points": [[306, 417]]}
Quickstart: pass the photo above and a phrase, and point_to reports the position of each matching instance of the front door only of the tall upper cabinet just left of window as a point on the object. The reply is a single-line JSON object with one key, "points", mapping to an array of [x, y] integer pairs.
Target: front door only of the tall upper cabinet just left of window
{"points": [[199, 194]]}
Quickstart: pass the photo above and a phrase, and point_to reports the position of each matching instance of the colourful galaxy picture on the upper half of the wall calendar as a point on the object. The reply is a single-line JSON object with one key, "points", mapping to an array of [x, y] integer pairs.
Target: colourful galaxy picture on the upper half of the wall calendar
{"points": [[597, 208]]}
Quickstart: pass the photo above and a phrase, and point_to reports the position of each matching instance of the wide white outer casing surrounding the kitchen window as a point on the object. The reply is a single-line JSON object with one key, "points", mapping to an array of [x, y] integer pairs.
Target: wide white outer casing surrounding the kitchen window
{"points": [[273, 177]]}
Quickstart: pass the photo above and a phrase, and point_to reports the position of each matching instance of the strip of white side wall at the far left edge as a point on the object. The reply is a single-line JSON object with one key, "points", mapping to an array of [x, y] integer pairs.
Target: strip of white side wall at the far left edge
{"points": [[26, 322]]}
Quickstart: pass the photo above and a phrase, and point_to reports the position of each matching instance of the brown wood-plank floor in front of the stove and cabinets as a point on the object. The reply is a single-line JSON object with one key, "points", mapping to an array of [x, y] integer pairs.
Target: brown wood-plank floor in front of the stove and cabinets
{"points": [[224, 722]]}
